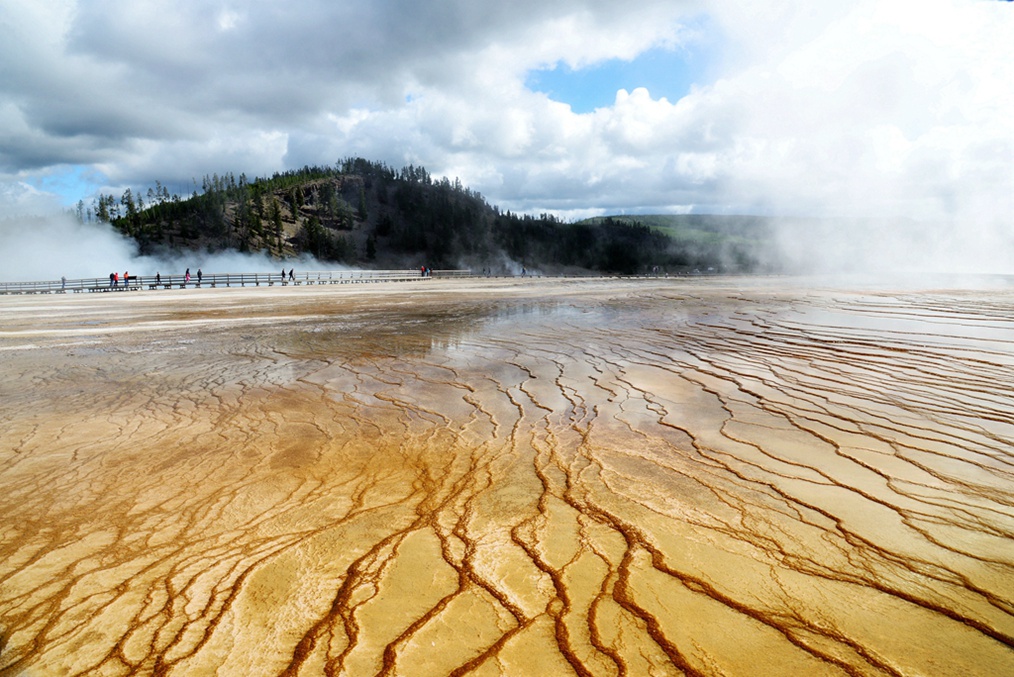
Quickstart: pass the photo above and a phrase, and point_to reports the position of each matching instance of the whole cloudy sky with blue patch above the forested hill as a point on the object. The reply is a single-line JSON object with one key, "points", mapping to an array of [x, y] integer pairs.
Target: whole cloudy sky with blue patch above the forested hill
{"points": [[576, 108]]}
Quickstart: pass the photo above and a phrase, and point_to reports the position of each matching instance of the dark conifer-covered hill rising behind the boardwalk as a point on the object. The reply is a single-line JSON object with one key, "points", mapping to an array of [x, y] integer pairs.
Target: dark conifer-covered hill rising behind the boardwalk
{"points": [[363, 213]]}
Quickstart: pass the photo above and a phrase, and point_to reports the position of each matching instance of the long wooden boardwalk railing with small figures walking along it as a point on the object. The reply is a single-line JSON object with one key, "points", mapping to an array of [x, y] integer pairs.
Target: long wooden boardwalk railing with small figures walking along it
{"points": [[213, 280]]}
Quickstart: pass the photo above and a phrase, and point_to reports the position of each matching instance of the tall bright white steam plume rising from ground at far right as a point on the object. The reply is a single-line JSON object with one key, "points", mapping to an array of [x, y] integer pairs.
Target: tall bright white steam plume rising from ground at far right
{"points": [[894, 121]]}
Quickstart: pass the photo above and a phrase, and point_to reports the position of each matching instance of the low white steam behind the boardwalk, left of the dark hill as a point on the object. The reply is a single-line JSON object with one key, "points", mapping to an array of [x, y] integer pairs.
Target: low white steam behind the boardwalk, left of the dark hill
{"points": [[45, 249]]}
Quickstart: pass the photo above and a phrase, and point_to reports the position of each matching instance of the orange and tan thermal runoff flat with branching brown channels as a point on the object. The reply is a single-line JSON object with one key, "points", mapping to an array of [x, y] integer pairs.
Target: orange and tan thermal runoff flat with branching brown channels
{"points": [[727, 477]]}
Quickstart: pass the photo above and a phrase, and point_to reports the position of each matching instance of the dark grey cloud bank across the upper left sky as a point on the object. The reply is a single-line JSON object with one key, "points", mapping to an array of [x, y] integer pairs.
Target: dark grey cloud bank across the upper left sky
{"points": [[113, 82]]}
